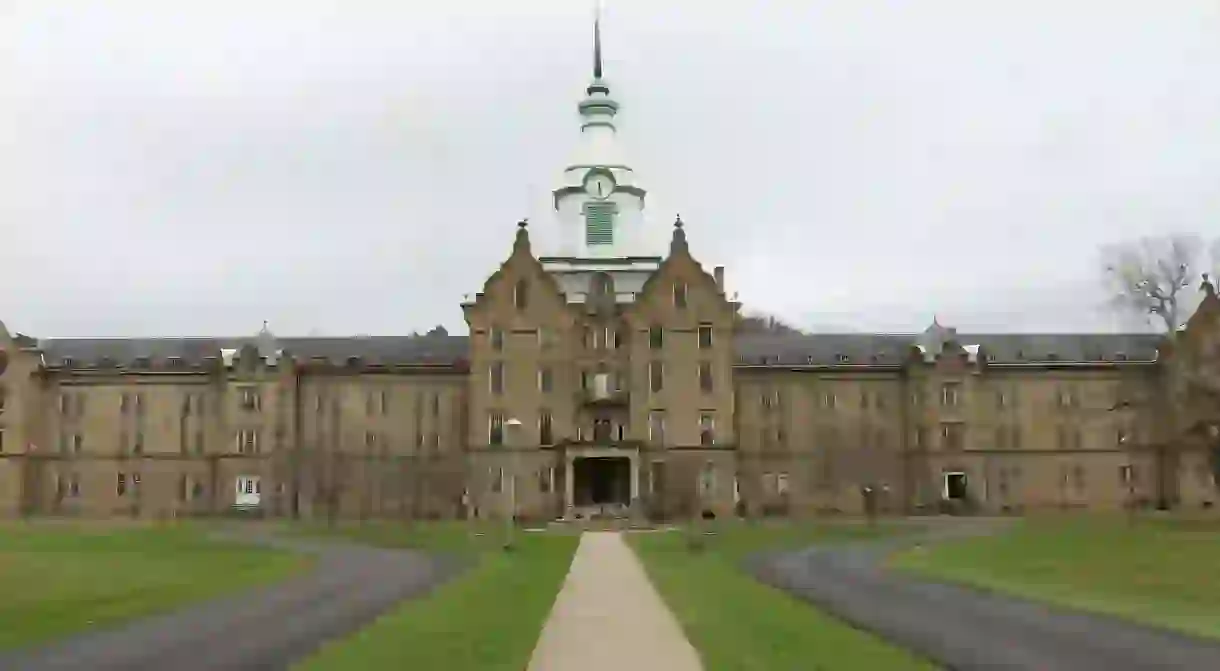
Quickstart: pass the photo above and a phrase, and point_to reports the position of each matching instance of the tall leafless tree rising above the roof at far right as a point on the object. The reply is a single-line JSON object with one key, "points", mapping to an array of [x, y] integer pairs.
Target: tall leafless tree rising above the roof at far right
{"points": [[1155, 279]]}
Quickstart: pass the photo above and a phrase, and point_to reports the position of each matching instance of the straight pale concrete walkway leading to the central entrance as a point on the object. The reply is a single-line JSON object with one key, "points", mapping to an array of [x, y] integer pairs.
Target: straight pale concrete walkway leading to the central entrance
{"points": [[609, 618]]}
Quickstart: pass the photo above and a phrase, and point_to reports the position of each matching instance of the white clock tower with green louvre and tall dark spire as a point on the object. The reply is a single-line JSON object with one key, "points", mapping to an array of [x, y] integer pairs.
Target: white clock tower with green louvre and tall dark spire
{"points": [[600, 204]]}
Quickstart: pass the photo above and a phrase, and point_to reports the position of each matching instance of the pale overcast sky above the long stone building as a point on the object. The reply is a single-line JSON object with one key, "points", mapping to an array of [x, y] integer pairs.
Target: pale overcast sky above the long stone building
{"points": [[197, 168]]}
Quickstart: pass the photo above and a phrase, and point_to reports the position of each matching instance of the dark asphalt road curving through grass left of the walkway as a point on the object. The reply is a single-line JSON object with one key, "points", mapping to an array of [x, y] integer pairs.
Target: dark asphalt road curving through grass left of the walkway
{"points": [[268, 628]]}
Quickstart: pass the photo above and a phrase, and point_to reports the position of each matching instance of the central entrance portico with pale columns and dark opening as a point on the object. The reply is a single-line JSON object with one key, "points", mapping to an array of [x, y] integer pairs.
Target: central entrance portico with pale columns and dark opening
{"points": [[601, 476]]}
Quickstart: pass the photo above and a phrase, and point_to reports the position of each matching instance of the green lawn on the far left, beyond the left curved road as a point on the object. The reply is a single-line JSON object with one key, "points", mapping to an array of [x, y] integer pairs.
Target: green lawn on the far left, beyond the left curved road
{"points": [[62, 579]]}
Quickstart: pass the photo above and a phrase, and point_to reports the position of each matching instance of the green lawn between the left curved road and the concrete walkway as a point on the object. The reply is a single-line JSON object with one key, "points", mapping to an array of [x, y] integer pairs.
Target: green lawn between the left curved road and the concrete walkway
{"points": [[487, 619]]}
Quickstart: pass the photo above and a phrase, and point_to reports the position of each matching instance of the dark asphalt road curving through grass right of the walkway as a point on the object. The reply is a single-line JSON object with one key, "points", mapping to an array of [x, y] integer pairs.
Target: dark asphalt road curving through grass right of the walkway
{"points": [[964, 629]]}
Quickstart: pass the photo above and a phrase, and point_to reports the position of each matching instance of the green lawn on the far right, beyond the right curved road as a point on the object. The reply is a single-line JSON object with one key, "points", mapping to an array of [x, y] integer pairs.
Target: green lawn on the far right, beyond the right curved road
{"points": [[1162, 572]]}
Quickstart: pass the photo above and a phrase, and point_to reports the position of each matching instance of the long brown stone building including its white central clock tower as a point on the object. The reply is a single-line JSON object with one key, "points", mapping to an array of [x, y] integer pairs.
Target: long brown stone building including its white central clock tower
{"points": [[612, 379]]}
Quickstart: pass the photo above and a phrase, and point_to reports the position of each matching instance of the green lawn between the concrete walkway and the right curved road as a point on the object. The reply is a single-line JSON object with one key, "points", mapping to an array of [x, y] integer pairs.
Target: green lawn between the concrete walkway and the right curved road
{"points": [[739, 624]]}
